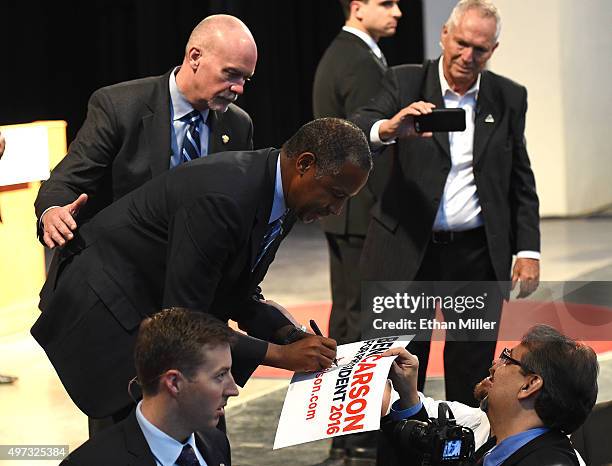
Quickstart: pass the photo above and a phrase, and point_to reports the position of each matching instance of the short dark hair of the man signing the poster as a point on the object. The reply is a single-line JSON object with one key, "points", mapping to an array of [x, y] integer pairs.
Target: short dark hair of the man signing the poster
{"points": [[334, 142]]}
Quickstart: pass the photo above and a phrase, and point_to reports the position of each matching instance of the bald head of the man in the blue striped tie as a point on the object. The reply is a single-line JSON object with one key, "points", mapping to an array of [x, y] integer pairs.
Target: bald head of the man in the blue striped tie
{"points": [[219, 58]]}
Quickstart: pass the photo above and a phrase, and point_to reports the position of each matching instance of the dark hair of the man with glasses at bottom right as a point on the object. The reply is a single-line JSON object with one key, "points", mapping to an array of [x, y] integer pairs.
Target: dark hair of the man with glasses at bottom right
{"points": [[569, 372]]}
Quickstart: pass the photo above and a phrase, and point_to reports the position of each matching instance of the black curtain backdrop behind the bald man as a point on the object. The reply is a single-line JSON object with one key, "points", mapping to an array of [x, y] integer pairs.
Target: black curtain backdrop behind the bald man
{"points": [[53, 55]]}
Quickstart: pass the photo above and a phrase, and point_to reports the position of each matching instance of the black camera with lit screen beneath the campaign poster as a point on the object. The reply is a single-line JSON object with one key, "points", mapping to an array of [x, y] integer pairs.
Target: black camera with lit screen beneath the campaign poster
{"points": [[441, 441]]}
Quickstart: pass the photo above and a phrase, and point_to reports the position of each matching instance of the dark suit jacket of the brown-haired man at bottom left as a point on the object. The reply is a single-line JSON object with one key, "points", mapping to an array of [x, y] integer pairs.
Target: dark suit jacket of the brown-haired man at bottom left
{"points": [[125, 445]]}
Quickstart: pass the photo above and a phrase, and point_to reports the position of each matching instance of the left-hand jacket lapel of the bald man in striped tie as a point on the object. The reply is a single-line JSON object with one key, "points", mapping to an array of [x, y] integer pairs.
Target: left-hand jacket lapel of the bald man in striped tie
{"points": [[157, 127]]}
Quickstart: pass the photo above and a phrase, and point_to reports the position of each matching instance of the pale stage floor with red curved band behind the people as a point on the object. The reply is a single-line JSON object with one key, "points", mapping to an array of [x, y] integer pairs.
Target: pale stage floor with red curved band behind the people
{"points": [[36, 409]]}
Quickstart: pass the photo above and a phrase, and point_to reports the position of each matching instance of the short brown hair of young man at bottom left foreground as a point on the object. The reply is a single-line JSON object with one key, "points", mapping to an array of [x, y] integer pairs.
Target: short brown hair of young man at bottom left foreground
{"points": [[173, 339]]}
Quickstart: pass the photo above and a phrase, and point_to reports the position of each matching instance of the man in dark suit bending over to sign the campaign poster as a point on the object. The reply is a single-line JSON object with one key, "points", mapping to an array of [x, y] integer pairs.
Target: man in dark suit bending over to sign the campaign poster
{"points": [[202, 237]]}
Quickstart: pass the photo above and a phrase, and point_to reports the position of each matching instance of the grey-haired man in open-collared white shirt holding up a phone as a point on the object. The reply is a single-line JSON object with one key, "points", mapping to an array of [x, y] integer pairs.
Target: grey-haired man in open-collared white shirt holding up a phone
{"points": [[457, 205]]}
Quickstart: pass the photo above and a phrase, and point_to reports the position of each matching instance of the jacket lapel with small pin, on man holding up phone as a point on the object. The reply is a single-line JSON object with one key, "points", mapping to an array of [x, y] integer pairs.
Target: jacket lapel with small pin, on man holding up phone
{"points": [[488, 117]]}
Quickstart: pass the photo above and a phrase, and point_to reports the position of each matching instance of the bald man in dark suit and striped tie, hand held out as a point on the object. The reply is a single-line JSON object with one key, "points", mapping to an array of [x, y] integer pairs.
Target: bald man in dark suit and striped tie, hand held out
{"points": [[139, 129]]}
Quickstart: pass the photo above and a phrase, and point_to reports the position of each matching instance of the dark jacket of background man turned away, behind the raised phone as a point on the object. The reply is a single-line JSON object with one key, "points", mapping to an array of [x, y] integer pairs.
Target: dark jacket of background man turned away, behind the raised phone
{"points": [[348, 75]]}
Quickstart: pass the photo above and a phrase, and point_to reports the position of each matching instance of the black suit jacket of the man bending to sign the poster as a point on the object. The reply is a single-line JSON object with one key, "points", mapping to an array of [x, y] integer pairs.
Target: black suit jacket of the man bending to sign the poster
{"points": [[187, 238]]}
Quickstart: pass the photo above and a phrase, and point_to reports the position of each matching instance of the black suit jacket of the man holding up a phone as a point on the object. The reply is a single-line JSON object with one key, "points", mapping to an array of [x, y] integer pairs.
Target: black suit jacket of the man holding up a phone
{"points": [[403, 218]]}
